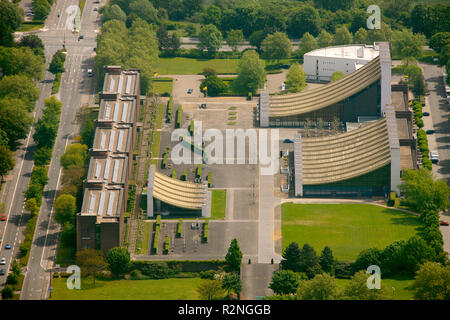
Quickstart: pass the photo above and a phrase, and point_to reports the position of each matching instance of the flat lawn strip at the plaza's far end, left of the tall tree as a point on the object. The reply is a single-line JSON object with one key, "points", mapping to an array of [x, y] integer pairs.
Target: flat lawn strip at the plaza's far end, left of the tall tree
{"points": [[194, 66]]}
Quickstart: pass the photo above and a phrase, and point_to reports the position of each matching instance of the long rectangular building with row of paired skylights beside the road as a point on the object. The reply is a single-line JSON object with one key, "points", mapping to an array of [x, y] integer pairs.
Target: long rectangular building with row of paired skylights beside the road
{"points": [[100, 222]]}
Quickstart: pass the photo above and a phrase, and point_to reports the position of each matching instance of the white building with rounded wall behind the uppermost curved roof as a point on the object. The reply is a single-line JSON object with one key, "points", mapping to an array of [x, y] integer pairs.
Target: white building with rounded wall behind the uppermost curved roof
{"points": [[320, 64]]}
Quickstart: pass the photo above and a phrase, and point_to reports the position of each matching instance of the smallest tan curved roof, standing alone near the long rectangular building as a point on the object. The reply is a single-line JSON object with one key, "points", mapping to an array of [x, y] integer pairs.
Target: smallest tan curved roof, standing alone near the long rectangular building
{"points": [[179, 193]]}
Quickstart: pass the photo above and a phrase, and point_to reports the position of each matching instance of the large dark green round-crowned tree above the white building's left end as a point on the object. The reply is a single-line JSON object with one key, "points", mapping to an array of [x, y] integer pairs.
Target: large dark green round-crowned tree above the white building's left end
{"points": [[303, 19]]}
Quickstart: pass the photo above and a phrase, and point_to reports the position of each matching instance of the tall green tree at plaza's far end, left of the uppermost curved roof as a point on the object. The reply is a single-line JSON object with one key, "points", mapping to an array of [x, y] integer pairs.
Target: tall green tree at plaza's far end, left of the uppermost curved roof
{"points": [[251, 73]]}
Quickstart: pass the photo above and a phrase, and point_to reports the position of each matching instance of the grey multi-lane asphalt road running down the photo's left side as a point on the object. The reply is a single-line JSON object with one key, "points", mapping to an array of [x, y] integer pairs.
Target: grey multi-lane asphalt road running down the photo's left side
{"points": [[76, 89]]}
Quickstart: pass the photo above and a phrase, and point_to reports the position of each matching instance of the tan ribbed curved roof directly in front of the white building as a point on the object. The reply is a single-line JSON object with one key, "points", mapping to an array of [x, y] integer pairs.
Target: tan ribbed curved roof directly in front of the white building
{"points": [[324, 96]]}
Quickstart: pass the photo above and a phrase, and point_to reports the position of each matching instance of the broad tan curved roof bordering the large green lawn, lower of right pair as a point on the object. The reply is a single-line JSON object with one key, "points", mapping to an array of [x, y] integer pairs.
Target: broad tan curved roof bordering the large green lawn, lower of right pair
{"points": [[346, 155]]}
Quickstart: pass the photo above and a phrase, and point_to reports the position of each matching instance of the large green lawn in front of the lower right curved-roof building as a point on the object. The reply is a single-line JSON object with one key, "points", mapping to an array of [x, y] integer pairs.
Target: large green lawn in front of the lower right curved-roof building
{"points": [[346, 228]]}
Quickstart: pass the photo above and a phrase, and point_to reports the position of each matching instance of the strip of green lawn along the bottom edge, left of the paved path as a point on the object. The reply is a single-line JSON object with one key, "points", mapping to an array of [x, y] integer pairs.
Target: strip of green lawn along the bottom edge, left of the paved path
{"points": [[165, 289]]}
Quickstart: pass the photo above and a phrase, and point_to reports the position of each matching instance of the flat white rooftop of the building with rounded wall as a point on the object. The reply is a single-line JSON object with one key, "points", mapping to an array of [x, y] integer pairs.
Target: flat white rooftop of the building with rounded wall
{"points": [[356, 51]]}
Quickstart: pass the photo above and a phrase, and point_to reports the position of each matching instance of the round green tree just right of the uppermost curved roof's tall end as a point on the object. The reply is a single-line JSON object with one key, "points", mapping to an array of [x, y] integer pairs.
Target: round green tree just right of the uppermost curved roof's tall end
{"points": [[406, 44]]}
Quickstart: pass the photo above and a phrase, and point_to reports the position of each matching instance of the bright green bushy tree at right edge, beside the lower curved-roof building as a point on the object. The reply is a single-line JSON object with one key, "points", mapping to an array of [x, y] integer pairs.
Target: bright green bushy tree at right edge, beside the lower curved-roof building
{"points": [[422, 191]]}
